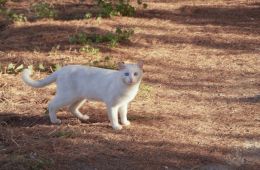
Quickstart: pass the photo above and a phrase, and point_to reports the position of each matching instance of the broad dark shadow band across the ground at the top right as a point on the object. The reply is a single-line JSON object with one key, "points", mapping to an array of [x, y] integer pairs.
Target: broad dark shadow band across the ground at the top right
{"points": [[241, 16]]}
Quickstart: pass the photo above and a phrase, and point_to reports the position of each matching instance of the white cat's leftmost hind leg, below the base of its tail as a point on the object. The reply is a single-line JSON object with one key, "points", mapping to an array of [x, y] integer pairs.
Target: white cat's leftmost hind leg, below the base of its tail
{"points": [[55, 104]]}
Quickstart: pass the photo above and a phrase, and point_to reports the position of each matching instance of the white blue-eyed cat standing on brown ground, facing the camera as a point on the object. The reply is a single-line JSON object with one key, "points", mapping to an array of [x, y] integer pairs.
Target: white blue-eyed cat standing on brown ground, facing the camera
{"points": [[76, 84]]}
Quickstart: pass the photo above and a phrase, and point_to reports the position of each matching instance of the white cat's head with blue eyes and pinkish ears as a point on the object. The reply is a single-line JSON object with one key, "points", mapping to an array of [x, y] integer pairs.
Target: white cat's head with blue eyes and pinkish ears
{"points": [[131, 74]]}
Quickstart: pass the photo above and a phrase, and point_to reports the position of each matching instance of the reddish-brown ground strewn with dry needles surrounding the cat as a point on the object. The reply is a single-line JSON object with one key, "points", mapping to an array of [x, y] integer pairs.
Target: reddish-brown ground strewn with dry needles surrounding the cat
{"points": [[198, 106]]}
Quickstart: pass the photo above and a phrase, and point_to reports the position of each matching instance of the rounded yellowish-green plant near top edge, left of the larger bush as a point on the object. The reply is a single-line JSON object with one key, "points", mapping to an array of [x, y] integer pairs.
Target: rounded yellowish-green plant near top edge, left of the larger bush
{"points": [[44, 10]]}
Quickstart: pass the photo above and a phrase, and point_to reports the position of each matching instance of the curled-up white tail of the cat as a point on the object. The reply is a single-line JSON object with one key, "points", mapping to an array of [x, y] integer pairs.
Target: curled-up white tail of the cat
{"points": [[38, 83]]}
